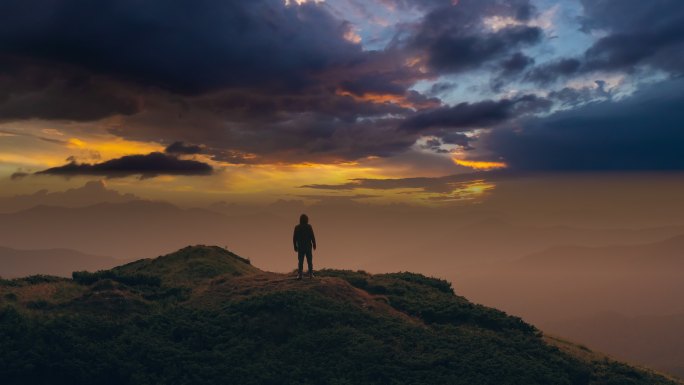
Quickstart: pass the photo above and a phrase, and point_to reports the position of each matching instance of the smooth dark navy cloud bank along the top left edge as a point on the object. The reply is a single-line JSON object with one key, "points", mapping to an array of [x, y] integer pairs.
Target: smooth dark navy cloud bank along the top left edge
{"points": [[186, 46]]}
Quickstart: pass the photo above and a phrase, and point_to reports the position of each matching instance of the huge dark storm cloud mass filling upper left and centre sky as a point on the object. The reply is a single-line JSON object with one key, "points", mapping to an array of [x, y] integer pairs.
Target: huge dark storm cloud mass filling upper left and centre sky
{"points": [[251, 81]]}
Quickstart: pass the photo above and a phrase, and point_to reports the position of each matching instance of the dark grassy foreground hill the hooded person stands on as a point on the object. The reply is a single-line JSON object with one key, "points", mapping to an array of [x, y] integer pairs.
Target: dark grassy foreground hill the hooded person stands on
{"points": [[203, 315]]}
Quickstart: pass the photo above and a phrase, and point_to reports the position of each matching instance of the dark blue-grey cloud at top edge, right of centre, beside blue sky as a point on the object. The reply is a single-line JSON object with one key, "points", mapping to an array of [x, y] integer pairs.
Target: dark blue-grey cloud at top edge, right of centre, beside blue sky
{"points": [[455, 39]]}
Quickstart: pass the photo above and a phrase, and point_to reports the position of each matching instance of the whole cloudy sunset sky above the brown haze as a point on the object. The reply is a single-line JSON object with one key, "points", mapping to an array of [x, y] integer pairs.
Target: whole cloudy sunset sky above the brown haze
{"points": [[424, 102]]}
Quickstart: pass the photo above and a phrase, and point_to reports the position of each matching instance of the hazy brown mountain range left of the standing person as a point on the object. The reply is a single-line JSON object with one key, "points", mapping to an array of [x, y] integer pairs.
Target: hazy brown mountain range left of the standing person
{"points": [[127, 230]]}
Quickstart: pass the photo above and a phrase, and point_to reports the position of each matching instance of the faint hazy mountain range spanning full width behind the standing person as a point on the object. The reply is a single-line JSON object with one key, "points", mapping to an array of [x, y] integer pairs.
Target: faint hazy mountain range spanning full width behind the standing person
{"points": [[150, 227]]}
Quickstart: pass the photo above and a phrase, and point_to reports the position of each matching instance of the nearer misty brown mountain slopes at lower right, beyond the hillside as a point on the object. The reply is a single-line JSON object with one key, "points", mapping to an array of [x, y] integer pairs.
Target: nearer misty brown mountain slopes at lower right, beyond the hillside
{"points": [[563, 288]]}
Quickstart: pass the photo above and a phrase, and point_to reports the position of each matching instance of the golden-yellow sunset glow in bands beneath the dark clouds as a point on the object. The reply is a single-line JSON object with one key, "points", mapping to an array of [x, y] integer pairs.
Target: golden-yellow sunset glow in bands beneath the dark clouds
{"points": [[261, 182]]}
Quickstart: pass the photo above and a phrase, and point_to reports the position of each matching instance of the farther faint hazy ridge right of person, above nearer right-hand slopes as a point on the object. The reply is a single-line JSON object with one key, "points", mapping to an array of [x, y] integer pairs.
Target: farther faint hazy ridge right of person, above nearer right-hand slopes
{"points": [[493, 241]]}
